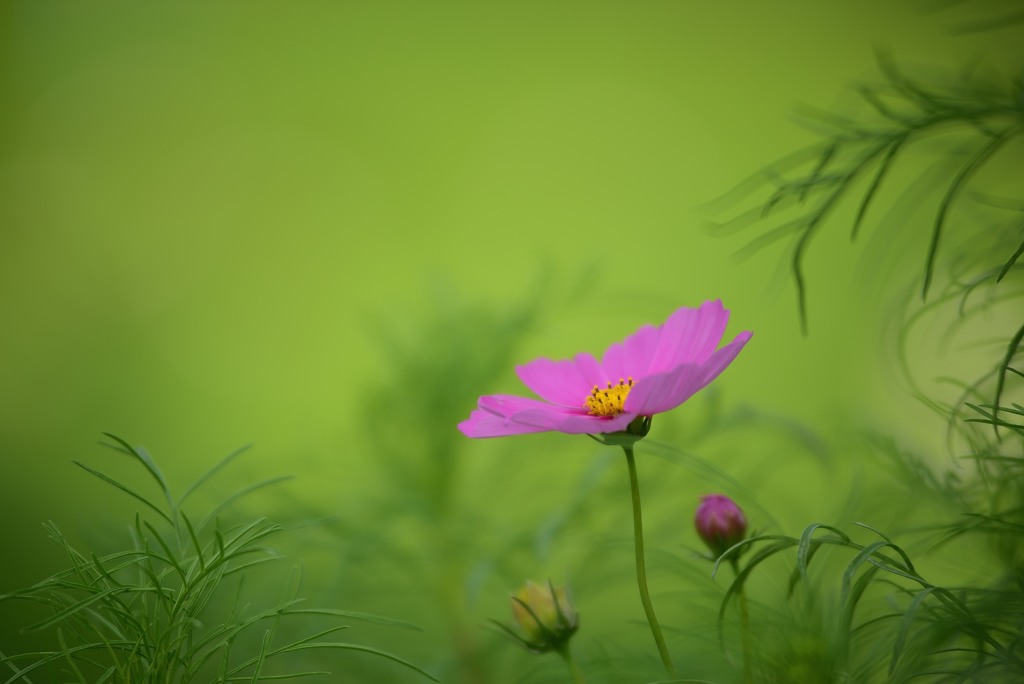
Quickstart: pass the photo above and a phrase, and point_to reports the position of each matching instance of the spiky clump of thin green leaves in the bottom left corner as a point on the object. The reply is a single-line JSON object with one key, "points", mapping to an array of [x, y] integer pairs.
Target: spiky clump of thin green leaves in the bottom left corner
{"points": [[156, 612]]}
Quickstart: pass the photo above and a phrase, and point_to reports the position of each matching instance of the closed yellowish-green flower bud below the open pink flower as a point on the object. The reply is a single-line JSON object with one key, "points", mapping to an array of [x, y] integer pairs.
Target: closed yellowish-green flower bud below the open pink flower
{"points": [[545, 617]]}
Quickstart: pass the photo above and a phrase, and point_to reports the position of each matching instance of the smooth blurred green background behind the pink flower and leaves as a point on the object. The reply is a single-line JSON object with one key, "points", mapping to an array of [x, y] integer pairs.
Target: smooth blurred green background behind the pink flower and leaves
{"points": [[326, 229]]}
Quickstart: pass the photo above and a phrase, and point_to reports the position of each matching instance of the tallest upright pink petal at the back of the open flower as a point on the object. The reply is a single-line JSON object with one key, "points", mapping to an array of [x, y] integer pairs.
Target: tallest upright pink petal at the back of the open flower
{"points": [[690, 336]]}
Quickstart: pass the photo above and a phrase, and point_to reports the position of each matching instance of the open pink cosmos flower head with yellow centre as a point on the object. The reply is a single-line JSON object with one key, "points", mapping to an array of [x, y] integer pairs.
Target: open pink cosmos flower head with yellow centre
{"points": [[653, 371]]}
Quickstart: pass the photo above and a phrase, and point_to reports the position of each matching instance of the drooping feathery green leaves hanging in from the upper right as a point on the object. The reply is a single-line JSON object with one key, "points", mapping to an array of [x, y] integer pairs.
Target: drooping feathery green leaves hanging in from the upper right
{"points": [[857, 157]]}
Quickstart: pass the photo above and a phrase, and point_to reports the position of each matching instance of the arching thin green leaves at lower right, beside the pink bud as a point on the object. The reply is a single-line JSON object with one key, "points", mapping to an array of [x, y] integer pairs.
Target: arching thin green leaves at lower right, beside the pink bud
{"points": [[932, 630]]}
